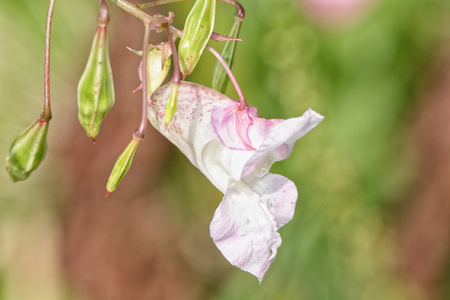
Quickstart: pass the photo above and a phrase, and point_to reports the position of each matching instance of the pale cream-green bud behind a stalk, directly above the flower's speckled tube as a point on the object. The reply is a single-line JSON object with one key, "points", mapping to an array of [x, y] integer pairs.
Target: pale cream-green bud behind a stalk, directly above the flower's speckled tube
{"points": [[158, 65]]}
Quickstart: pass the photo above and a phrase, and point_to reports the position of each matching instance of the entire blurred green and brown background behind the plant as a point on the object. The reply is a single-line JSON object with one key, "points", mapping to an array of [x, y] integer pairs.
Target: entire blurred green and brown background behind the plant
{"points": [[373, 217]]}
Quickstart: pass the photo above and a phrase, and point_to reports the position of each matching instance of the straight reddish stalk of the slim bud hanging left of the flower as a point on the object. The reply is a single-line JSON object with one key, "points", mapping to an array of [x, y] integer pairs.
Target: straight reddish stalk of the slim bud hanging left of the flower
{"points": [[140, 132]]}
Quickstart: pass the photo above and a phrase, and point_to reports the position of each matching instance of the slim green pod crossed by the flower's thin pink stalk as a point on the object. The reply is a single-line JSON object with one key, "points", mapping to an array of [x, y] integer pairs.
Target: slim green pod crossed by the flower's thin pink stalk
{"points": [[220, 77]]}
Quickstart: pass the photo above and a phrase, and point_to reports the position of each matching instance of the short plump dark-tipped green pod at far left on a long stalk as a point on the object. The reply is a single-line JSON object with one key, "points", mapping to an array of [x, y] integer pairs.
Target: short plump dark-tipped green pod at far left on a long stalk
{"points": [[27, 151]]}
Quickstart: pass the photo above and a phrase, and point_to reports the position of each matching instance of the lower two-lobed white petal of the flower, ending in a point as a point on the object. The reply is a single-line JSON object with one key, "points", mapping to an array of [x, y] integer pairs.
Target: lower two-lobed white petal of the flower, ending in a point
{"points": [[245, 224]]}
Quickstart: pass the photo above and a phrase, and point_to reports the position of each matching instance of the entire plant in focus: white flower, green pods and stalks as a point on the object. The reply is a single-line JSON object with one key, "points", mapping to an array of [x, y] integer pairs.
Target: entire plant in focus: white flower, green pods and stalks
{"points": [[223, 138]]}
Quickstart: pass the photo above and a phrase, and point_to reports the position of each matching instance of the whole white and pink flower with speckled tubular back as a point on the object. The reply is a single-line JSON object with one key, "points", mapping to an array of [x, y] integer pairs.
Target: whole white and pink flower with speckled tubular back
{"points": [[235, 149]]}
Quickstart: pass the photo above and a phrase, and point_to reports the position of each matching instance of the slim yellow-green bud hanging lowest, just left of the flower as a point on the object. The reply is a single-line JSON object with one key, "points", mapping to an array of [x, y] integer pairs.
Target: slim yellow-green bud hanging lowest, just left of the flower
{"points": [[122, 165]]}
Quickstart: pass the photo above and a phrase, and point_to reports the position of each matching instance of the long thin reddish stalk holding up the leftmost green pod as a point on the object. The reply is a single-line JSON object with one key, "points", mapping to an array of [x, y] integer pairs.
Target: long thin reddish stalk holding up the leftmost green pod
{"points": [[47, 112]]}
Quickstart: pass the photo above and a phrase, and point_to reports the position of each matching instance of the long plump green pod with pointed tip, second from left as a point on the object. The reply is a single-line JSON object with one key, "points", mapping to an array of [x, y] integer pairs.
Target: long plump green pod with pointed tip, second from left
{"points": [[96, 88]]}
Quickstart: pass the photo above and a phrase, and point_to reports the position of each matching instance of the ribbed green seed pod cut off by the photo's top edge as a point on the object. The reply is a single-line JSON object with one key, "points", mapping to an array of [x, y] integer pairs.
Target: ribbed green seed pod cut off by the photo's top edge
{"points": [[197, 31]]}
